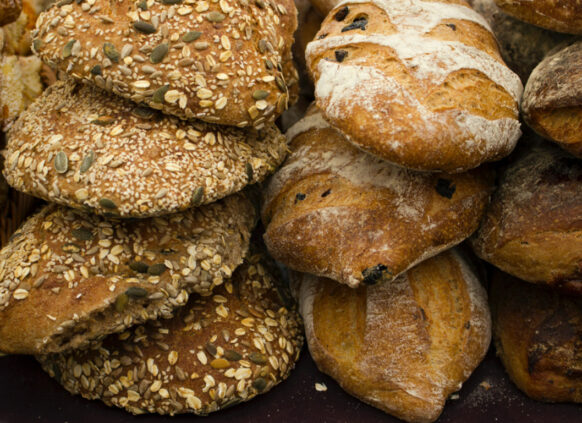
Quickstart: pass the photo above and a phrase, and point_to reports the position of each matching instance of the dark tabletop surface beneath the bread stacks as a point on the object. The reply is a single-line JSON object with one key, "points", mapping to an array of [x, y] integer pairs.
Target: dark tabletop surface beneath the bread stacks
{"points": [[28, 395]]}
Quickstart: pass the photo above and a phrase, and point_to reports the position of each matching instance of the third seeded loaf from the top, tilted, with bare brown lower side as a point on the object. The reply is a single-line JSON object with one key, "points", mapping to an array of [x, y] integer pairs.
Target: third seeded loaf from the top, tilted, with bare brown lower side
{"points": [[69, 278]]}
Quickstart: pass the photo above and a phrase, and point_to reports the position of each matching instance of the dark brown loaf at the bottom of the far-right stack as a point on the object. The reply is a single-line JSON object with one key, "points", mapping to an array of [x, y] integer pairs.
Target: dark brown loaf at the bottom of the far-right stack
{"points": [[537, 335]]}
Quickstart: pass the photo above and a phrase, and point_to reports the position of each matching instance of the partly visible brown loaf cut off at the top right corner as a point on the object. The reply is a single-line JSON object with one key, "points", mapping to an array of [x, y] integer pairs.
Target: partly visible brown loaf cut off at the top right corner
{"points": [[560, 15]]}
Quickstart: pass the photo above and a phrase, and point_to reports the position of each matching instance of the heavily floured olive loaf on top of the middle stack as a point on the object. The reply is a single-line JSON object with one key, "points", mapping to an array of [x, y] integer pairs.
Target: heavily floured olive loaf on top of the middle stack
{"points": [[418, 83]]}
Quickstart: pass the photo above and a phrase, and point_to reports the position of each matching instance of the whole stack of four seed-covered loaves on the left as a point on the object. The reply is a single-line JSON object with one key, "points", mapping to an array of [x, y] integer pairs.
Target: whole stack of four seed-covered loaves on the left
{"points": [[163, 116]]}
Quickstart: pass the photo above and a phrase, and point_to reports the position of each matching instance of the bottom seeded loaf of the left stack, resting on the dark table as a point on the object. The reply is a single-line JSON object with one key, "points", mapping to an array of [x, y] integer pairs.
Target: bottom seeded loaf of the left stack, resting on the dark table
{"points": [[218, 351]]}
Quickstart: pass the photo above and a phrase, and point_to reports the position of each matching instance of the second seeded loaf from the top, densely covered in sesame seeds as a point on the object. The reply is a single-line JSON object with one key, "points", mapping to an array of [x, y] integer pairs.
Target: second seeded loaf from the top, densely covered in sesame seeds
{"points": [[84, 148]]}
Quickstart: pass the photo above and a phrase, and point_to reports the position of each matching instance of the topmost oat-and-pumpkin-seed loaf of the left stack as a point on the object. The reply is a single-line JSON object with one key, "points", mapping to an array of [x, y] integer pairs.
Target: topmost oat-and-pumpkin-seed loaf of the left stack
{"points": [[220, 62]]}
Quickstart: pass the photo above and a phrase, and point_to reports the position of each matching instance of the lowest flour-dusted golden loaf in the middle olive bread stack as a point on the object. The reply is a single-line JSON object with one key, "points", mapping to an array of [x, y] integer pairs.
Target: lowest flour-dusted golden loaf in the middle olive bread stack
{"points": [[402, 347]]}
